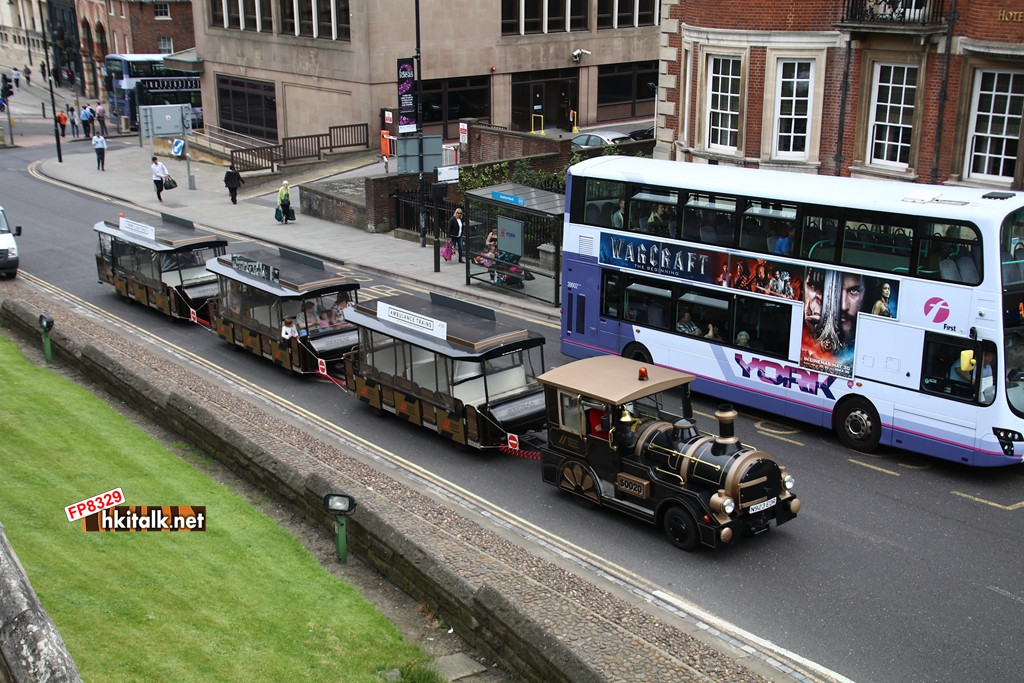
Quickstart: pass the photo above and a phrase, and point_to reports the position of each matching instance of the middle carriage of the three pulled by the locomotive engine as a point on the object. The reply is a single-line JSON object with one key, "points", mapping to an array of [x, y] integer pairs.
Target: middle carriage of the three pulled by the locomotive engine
{"points": [[286, 308]]}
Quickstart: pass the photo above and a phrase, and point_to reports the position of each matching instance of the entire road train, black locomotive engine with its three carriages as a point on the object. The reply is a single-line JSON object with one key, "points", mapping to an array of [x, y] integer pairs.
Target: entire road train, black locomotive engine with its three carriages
{"points": [[603, 429]]}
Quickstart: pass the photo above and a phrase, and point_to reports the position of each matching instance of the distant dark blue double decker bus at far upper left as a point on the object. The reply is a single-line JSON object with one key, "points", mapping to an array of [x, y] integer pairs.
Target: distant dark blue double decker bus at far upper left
{"points": [[142, 80]]}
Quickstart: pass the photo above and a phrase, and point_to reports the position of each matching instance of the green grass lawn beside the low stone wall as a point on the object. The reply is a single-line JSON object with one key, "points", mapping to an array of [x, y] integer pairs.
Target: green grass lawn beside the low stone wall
{"points": [[240, 602]]}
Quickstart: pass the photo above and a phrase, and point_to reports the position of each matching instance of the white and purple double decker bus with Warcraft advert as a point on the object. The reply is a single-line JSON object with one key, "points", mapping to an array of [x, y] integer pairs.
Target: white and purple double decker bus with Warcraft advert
{"points": [[888, 312]]}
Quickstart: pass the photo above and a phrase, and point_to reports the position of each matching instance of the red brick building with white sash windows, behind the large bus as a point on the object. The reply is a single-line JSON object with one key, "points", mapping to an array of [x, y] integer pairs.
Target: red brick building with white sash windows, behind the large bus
{"points": [[914, 91]]}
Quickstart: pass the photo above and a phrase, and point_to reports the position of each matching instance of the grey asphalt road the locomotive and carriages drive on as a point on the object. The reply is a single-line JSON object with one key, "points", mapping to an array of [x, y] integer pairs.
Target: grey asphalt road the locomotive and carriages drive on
{"points": [[899, 569]]}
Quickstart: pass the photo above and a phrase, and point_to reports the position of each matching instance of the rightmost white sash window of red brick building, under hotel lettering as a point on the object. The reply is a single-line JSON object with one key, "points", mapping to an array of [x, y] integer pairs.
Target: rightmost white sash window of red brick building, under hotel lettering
{"points": [[994, 139]]}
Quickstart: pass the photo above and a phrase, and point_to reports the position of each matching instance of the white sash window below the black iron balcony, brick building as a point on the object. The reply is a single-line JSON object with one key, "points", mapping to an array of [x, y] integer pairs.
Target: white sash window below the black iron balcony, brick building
{"points": [[891, 123]]}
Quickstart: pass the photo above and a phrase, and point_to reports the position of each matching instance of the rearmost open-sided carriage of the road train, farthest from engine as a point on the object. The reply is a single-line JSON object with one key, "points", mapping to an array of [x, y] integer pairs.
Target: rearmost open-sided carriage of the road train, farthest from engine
{"points": [[160, 267]]}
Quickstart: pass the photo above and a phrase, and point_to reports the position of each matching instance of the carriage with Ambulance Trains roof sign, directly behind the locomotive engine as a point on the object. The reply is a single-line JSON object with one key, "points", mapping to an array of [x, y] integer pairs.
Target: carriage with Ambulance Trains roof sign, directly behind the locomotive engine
{"points": [[448, 366]]}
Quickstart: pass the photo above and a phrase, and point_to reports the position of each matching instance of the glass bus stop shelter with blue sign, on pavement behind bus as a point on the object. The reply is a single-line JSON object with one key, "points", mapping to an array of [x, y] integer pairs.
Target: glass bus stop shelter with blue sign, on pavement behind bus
{"points": [[529, 225]]}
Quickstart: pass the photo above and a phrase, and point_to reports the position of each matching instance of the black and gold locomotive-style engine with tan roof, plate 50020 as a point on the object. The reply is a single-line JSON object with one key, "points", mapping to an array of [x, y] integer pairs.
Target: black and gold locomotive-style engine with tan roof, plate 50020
{"points": [[612, 442]]}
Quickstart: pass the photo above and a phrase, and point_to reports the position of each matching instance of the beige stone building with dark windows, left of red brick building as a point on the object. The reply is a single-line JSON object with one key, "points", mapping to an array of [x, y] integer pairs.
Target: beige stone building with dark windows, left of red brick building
{"points": [[281, 69]]}
